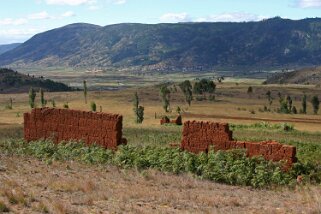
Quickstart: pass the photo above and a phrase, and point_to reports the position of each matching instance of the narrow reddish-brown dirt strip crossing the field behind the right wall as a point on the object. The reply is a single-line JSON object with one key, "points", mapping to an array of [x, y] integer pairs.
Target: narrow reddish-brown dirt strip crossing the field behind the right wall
{"points": [[293, 119]]}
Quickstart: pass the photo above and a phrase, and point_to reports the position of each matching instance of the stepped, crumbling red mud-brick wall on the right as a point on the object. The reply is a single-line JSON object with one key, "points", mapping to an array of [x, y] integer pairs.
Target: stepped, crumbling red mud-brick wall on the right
{"points": [[201, 136]]}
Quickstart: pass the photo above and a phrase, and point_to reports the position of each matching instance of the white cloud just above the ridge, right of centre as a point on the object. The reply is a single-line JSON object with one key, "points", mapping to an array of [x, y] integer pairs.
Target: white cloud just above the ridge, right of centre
{"points": [[231, 17]]}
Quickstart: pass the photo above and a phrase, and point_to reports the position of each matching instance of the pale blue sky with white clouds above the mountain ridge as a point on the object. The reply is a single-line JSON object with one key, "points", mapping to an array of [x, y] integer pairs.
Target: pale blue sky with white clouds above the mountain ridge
{"points": [[21, 19]]}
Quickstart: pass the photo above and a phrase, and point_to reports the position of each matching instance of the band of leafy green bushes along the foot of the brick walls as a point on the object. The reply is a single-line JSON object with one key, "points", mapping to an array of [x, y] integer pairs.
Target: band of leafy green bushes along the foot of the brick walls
{"points": [[231, 167]]}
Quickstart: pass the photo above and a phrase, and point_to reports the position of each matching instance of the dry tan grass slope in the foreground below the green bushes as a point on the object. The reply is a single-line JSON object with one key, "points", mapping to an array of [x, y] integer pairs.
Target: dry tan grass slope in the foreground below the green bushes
{"points": [[76, 188]]}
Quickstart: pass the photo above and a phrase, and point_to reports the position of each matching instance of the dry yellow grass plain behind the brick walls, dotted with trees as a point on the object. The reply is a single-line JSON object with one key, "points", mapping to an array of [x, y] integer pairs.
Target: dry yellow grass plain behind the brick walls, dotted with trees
{"points": [[231, 105]]}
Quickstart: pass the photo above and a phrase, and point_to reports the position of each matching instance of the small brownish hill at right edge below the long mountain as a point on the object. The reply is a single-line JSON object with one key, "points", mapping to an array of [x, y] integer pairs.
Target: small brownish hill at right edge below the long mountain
{"points": [[305, 76]]}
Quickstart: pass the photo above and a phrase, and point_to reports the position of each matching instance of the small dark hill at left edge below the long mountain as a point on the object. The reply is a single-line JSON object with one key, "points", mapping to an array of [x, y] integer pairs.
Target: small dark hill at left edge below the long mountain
{"points": [[12, 82]]}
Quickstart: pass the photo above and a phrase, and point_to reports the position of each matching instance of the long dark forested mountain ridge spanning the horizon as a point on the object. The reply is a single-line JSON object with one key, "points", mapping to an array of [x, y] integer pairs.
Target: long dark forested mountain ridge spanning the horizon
{"points": [[269, 43]]}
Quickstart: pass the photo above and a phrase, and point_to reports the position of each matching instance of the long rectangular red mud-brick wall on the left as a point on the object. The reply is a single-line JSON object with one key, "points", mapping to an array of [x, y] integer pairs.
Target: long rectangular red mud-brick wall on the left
{"points": [[64, 125]]}
